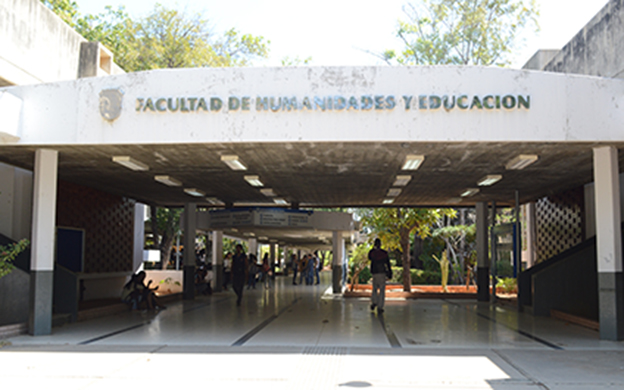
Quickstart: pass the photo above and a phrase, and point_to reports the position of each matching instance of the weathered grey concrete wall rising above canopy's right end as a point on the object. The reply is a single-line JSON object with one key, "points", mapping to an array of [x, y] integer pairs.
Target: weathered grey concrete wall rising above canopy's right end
{"points": [[598, 49]]}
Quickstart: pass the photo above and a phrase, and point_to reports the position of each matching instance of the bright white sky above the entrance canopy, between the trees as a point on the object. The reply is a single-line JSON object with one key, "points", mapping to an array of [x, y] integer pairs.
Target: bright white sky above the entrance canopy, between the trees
{"points": [[344, 32]]}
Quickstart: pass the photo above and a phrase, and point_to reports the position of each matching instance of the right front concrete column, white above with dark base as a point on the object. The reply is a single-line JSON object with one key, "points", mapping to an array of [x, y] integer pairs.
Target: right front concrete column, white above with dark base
{"points": [[609, 243]]}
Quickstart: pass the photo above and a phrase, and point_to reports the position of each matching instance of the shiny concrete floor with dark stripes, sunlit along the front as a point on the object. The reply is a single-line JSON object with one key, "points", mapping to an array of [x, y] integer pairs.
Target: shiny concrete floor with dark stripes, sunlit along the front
{"points": [[302, 337]]}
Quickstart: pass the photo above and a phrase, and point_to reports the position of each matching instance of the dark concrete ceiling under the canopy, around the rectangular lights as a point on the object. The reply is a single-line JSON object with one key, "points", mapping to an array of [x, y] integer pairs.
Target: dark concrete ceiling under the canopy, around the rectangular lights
{"points": [[323, 174]]}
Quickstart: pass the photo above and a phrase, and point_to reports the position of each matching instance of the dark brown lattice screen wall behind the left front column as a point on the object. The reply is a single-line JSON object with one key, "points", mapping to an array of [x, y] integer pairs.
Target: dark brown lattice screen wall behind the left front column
{"points": [[108, 221]]}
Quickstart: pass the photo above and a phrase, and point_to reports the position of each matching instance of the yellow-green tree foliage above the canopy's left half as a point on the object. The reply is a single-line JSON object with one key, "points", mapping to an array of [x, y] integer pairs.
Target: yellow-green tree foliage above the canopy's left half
{"points": [[165, 38]]}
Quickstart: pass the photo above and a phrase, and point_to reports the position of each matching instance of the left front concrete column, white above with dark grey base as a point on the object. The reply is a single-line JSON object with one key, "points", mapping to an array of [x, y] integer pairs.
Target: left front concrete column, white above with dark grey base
{"points": [[42, 246]]}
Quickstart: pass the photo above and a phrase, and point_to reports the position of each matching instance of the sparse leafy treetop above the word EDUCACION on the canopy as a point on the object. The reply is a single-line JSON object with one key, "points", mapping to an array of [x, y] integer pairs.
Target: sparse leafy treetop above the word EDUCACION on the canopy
{"points": [[461, 32]]}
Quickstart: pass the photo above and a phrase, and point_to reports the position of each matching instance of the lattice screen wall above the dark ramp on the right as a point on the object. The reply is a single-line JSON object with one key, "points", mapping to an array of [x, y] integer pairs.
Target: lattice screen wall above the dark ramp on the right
{"points": [[559, 223]]}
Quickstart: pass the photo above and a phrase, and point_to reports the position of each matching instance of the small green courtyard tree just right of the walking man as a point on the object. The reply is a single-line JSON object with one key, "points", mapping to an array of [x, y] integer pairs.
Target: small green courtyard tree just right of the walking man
{"points": [[394, 226]]}
